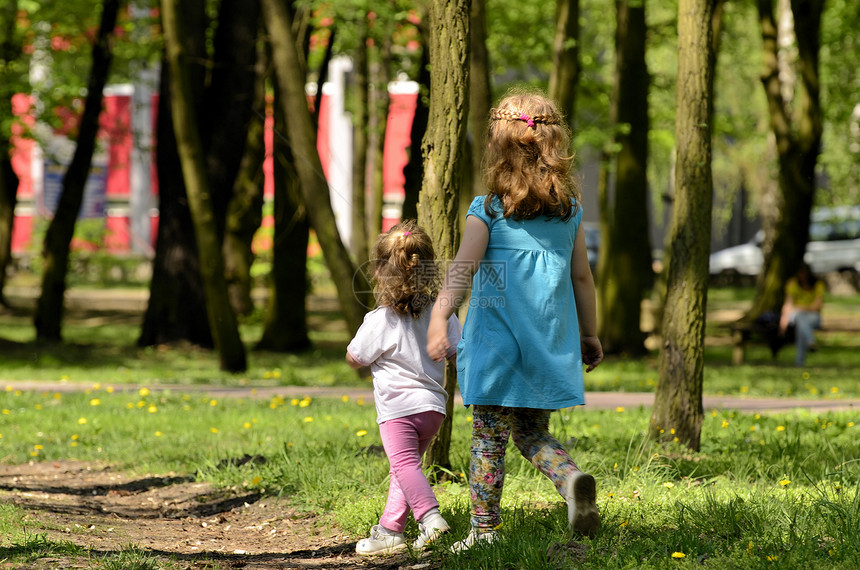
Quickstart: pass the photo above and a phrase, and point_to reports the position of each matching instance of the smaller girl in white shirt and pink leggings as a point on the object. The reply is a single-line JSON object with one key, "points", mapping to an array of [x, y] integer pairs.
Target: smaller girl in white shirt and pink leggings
{"points": [[407, 382]]}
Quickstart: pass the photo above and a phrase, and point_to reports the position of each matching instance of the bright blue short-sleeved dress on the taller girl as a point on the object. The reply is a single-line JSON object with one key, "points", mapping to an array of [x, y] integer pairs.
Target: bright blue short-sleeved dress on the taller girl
{"points": [[520, 345]]}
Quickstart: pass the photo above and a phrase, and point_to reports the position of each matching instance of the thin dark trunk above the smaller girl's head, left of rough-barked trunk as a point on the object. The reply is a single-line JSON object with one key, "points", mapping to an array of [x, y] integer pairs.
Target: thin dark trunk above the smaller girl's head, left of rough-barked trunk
{"points": [[413, 172]]}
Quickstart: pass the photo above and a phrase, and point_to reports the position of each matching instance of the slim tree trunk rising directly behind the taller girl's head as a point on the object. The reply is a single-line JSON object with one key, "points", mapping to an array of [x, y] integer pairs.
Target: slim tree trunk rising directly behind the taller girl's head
{"points": [[564, 78]]}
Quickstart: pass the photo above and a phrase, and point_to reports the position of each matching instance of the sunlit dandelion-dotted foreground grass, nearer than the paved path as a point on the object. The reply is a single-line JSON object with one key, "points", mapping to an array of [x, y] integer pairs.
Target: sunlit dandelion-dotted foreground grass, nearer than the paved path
{"points": [[763, 490]]}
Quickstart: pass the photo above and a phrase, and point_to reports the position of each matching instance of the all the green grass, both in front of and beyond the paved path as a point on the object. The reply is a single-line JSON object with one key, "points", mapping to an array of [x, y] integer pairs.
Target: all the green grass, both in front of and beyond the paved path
{"points": [[777, 490]]}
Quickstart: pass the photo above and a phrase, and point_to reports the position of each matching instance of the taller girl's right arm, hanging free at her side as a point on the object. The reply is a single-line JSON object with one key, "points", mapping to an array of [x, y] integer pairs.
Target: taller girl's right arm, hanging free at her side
{"points": [[586, 304]]}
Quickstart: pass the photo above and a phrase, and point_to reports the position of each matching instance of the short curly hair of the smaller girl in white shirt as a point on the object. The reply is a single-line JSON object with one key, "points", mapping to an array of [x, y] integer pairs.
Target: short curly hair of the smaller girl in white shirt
{"points": [[404, 275]]}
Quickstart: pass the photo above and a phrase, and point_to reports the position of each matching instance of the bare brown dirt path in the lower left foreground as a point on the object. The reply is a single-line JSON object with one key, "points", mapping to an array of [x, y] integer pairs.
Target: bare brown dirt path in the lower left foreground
{"points": [[173, 519]]}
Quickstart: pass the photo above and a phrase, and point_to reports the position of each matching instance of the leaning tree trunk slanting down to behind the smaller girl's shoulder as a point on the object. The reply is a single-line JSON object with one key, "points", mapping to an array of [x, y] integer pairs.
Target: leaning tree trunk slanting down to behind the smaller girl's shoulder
{"points": [[351, 285]]}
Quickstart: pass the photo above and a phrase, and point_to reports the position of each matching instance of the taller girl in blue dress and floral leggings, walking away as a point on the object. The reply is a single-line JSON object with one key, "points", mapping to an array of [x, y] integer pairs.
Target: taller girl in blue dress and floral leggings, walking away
{"points": [[531, 321]]}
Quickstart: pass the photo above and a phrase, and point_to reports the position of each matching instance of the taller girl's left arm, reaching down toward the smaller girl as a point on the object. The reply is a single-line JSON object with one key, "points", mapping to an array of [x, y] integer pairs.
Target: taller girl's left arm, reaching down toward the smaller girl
{"points": [[458, 278]]}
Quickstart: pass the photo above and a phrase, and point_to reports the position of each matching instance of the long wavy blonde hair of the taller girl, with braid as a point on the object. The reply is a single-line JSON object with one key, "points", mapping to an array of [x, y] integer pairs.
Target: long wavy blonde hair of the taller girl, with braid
{"points": [[528, 165]]}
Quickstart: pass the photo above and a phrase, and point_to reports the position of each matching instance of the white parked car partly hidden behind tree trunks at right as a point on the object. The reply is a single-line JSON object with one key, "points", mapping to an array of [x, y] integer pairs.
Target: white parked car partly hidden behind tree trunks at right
{"points": [[834, 245]]}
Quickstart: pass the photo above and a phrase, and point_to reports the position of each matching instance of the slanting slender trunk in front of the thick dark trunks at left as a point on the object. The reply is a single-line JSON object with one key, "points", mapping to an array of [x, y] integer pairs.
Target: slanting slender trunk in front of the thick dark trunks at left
{"points": [[222, 319]]}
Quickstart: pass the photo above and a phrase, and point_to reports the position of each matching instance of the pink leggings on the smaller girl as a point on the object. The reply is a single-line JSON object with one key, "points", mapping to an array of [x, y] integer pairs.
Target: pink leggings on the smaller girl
{"points": [[405, 440]]}
